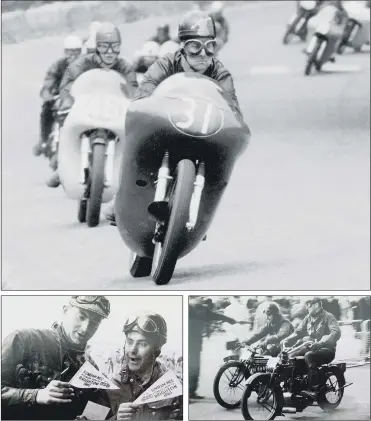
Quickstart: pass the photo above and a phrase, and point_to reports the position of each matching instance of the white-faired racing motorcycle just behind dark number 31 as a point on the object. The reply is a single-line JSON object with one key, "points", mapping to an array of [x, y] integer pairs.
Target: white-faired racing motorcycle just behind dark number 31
{"points": [[91, 141]]}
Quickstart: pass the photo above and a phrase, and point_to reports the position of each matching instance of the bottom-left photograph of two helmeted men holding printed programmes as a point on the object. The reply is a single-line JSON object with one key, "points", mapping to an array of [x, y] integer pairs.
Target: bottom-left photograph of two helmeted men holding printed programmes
{"points": [[92, 357]]}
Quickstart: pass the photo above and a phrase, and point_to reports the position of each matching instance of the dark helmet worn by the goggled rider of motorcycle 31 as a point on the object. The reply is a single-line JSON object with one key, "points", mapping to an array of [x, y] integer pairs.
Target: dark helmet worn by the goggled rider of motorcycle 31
{"points": [[196, 24]]}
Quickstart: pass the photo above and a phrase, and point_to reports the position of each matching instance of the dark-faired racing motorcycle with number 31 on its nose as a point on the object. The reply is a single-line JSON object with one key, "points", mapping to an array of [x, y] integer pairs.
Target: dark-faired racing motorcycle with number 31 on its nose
{"points": [[180, 148]]}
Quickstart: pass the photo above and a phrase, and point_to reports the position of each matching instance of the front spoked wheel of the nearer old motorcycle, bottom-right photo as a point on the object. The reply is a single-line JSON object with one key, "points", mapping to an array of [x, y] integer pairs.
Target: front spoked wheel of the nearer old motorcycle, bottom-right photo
{"points": [[260, 401]]}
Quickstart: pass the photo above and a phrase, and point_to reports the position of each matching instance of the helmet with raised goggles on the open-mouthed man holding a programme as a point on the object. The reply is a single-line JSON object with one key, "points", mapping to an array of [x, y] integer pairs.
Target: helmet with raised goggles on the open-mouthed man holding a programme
{"points": [[152, 325]]}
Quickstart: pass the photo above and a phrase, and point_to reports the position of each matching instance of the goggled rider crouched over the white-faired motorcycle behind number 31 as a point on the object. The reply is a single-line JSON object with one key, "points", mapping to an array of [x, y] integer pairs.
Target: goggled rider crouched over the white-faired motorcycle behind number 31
{"points": [[108, 46]]}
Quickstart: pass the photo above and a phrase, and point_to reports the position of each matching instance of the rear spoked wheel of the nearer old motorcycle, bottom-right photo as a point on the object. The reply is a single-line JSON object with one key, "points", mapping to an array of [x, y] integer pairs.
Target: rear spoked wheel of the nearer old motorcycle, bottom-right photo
{"points": [[332, 394]]}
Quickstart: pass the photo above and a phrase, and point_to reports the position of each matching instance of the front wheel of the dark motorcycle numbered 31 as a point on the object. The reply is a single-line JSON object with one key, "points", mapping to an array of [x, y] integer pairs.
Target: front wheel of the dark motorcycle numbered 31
{"points": [[166, 252]]}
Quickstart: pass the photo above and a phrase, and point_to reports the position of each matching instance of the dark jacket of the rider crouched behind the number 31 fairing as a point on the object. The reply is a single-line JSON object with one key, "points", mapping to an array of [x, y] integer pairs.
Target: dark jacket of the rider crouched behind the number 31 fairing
{"points": [[177, 63]]}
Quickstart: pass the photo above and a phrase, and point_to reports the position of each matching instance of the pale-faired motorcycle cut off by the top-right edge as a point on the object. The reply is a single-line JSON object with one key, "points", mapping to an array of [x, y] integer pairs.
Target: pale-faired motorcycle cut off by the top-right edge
{"points": [[357, 29]]}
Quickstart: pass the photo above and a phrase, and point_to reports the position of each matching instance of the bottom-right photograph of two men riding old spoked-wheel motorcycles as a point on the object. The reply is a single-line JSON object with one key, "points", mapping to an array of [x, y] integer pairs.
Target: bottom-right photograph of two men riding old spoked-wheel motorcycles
{"points": [[279, 357]]}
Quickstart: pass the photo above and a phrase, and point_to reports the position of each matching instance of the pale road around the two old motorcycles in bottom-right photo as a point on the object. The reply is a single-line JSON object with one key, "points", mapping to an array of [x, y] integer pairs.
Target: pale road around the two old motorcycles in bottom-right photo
{"points": [[354, 406]]}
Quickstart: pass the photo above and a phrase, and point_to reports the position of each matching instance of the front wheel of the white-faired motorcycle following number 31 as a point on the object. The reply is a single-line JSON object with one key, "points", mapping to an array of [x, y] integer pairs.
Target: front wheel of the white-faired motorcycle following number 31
{"points": [[96, 181]]}
